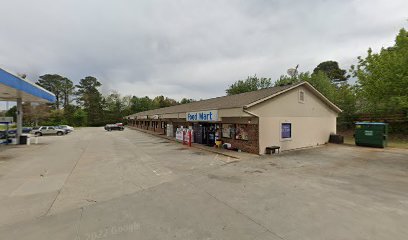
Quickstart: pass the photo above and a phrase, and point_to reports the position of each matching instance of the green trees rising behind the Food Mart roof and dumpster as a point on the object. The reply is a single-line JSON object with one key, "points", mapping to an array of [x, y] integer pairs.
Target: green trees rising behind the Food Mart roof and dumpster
{"points": [[376, 88]]}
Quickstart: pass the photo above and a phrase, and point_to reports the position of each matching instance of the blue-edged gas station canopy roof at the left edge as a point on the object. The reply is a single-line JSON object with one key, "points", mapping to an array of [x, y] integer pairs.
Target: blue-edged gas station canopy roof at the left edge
{"points": [[13, 87]]}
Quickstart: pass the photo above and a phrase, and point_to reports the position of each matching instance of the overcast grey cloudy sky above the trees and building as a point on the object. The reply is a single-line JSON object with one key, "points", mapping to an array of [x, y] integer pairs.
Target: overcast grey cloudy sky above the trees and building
{"points": [[194, 48]]}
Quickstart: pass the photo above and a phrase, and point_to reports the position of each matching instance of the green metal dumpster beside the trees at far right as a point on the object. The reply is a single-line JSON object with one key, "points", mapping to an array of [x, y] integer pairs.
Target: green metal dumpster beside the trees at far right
{"points": [[371, 134]]}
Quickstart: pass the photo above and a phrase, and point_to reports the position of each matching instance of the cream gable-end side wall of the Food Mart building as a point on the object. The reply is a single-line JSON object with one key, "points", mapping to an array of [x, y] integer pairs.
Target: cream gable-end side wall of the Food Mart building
{"points": [[312, 121]]}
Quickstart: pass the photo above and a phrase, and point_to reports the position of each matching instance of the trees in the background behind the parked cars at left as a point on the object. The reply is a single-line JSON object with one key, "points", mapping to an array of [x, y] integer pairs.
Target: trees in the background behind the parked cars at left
{"points": [[84, 105]]}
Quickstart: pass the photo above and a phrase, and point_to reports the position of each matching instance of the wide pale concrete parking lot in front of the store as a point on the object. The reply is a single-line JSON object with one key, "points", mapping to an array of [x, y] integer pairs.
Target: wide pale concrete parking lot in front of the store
{"points": [[94, 184]]}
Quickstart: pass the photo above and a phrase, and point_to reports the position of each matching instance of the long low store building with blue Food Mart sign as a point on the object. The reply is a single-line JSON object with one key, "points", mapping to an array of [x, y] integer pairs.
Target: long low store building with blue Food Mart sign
{"points": [[291, 117]]}
